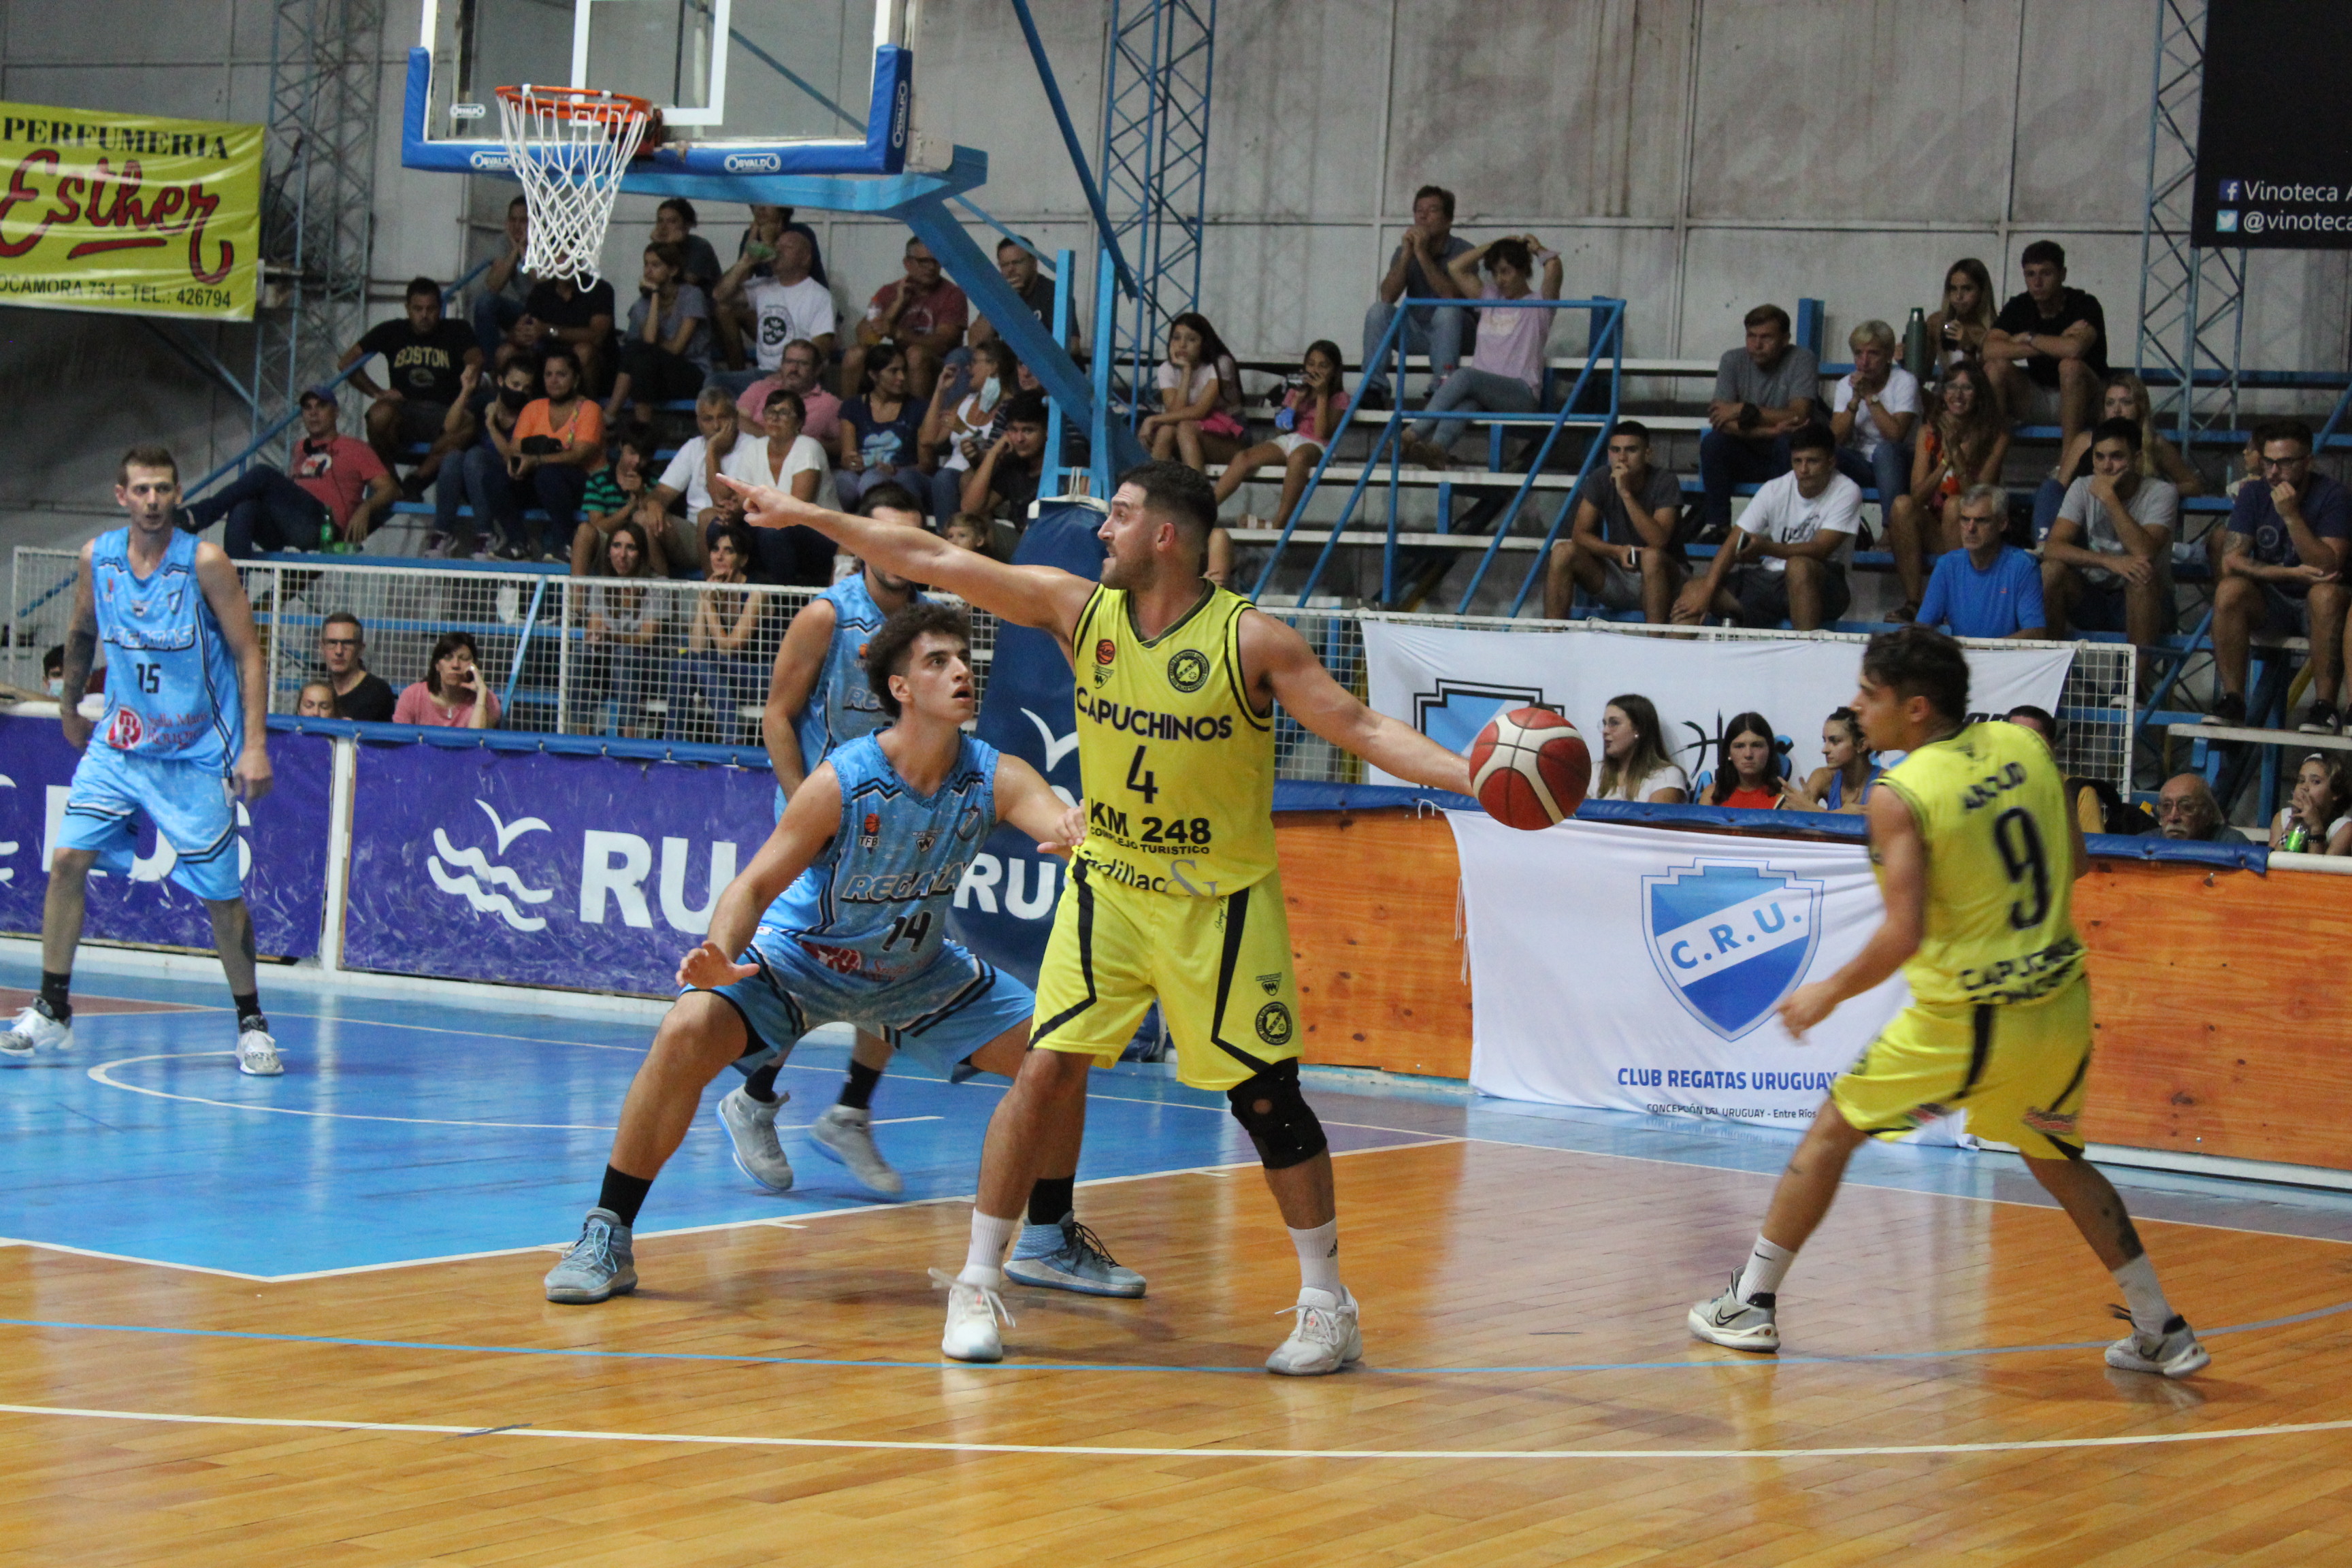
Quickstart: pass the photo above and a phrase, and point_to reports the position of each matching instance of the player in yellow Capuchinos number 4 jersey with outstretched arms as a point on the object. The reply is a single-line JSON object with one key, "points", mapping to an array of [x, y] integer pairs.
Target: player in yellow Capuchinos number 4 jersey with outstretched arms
{"points": [[1175, 892]]}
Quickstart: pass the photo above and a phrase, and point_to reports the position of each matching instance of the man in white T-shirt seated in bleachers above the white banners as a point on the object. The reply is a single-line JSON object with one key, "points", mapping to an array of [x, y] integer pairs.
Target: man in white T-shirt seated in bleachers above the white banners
{"points": [[1789, 556]]}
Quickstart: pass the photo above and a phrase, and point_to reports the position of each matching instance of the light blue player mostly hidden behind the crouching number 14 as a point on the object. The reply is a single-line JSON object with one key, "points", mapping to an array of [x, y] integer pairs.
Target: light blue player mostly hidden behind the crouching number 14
{"points": [[820, 699]]}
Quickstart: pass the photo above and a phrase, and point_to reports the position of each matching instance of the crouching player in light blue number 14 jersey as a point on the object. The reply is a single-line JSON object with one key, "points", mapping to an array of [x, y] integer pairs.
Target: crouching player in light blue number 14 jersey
{"points": [[843, 918]]}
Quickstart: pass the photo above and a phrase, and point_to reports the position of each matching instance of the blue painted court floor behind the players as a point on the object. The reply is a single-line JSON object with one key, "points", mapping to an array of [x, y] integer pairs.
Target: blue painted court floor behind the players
{"points": [[413, 1130]]}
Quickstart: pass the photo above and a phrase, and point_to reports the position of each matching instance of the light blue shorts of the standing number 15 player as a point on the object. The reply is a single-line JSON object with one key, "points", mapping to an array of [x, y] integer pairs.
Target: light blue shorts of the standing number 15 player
{"points": [[187, 803]]}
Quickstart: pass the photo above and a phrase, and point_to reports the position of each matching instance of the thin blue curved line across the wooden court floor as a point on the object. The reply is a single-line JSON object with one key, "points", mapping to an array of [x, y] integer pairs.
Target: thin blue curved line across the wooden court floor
{"points": [[1135, 1367]]}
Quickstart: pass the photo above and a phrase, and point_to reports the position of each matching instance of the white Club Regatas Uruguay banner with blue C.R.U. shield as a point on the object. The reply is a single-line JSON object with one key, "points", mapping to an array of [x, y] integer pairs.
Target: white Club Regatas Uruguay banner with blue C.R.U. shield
{"points": [[1638, 967]]}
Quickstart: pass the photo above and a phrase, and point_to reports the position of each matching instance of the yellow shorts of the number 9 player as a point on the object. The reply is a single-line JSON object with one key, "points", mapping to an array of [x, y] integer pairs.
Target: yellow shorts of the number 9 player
{"points": [[2017, 1071]]}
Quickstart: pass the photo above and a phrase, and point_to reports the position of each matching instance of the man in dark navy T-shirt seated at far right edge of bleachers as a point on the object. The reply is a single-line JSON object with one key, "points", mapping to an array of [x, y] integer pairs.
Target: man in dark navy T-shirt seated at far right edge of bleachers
{"points": [[2283, 572]]}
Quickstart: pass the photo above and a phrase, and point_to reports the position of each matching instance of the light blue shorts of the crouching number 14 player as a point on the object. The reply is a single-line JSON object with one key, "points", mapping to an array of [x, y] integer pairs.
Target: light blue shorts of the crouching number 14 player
{"points": [[944, 1012]]}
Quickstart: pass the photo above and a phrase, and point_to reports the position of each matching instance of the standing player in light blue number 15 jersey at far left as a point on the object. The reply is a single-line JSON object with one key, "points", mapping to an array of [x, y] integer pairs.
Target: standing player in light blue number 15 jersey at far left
{"points": [[182, 737]]}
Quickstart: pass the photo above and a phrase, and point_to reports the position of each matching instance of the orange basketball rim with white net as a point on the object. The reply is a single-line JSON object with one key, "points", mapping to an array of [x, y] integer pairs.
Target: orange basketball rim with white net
{"points": [[570, 149]]}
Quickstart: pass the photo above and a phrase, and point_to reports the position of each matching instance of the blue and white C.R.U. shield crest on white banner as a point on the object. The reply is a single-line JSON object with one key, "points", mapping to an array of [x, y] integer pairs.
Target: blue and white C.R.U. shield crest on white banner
{"points": [[1730, 937]]}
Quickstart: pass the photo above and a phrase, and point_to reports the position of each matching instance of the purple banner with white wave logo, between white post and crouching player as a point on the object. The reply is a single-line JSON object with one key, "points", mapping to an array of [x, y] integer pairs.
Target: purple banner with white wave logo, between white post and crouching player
{"points": [[535, 869]]}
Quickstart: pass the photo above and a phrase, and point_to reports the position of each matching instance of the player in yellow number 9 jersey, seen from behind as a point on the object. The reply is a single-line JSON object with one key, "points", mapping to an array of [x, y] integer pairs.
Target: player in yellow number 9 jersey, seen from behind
{"points": [[1977, 859]]}
